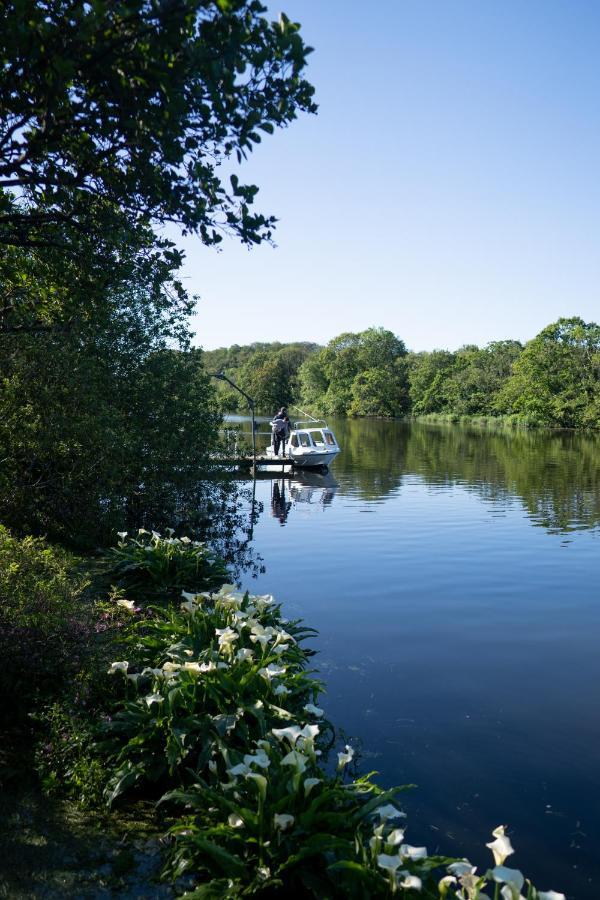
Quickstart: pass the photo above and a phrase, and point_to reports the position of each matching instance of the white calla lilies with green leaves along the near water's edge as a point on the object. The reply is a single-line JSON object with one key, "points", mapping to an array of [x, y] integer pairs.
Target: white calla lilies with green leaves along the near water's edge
{"points": [[218, 720]]}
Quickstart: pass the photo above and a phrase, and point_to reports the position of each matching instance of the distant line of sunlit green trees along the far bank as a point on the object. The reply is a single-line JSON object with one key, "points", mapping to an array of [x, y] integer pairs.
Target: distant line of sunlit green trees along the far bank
{"points": [[553, 380]]}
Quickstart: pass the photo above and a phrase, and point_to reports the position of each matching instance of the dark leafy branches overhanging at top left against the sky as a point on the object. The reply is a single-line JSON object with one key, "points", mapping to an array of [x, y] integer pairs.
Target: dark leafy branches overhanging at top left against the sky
{"points": [[138, 103]]}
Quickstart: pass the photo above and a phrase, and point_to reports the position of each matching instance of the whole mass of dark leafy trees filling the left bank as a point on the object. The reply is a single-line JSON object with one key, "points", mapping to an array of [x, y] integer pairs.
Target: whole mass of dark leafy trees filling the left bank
{"points": [[115, 120]]}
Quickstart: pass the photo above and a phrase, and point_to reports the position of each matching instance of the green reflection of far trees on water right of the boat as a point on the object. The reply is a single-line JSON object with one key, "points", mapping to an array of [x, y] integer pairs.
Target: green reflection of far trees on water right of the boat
{"points": [[554, 475]]}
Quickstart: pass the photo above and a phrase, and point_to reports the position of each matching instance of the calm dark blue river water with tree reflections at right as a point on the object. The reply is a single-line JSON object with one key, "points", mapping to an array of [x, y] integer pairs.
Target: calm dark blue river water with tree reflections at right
{"points": [[453, 575]]}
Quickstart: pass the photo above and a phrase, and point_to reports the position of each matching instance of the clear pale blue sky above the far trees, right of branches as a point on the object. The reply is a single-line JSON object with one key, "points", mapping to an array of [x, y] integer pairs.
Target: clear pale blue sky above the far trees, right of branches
{"points": [[448, 189]]}
